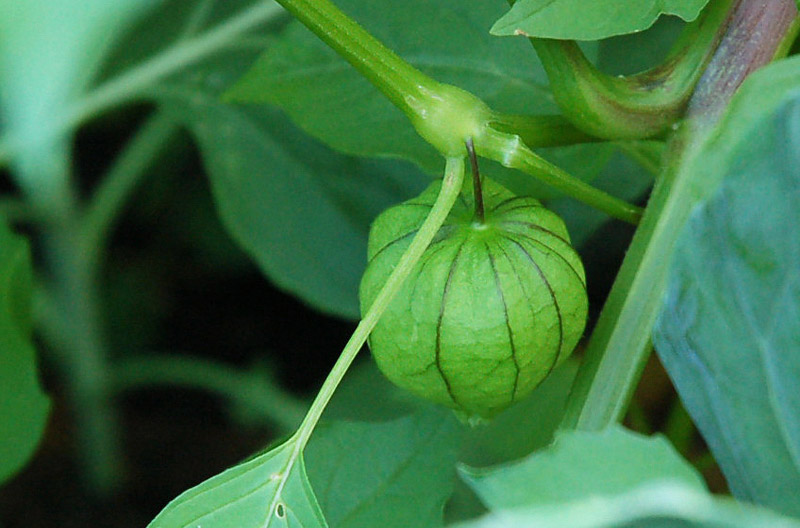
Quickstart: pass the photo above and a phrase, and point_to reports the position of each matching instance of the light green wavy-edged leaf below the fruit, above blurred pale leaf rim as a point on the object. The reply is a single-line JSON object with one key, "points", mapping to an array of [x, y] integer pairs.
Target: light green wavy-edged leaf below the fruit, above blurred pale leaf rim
{"points": [[579, 465]]}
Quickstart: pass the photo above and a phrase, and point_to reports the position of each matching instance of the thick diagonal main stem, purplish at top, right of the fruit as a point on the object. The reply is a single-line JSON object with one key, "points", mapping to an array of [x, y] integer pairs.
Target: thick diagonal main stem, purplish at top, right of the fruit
{"points": [[620, 344]]}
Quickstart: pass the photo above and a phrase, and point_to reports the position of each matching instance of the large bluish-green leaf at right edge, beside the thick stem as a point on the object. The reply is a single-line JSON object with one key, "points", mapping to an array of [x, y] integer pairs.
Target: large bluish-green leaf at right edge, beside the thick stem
{"points": [[728, 333]]}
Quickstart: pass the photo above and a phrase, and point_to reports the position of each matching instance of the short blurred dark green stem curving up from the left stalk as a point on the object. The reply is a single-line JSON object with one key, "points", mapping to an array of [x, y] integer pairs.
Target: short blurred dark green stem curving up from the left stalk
{"points": [[120, 181]]}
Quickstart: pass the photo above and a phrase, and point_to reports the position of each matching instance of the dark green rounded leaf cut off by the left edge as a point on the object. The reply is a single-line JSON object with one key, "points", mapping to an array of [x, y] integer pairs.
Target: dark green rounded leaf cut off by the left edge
{"points": [[23, 406]]}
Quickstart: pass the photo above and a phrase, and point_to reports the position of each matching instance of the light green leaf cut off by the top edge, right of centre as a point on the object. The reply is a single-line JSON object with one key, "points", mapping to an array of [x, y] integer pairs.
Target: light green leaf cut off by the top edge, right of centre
{"points": [[599, 19]]}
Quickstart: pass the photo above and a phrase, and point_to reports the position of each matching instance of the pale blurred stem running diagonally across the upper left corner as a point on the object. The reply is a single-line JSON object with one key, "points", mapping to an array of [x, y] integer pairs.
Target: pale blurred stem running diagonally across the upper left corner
{"points": [[133, 82]]}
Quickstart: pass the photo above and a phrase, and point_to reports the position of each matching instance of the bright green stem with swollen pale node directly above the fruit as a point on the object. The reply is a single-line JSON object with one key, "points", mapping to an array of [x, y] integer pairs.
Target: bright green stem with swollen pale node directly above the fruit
{"points": [[445, 115]]}
